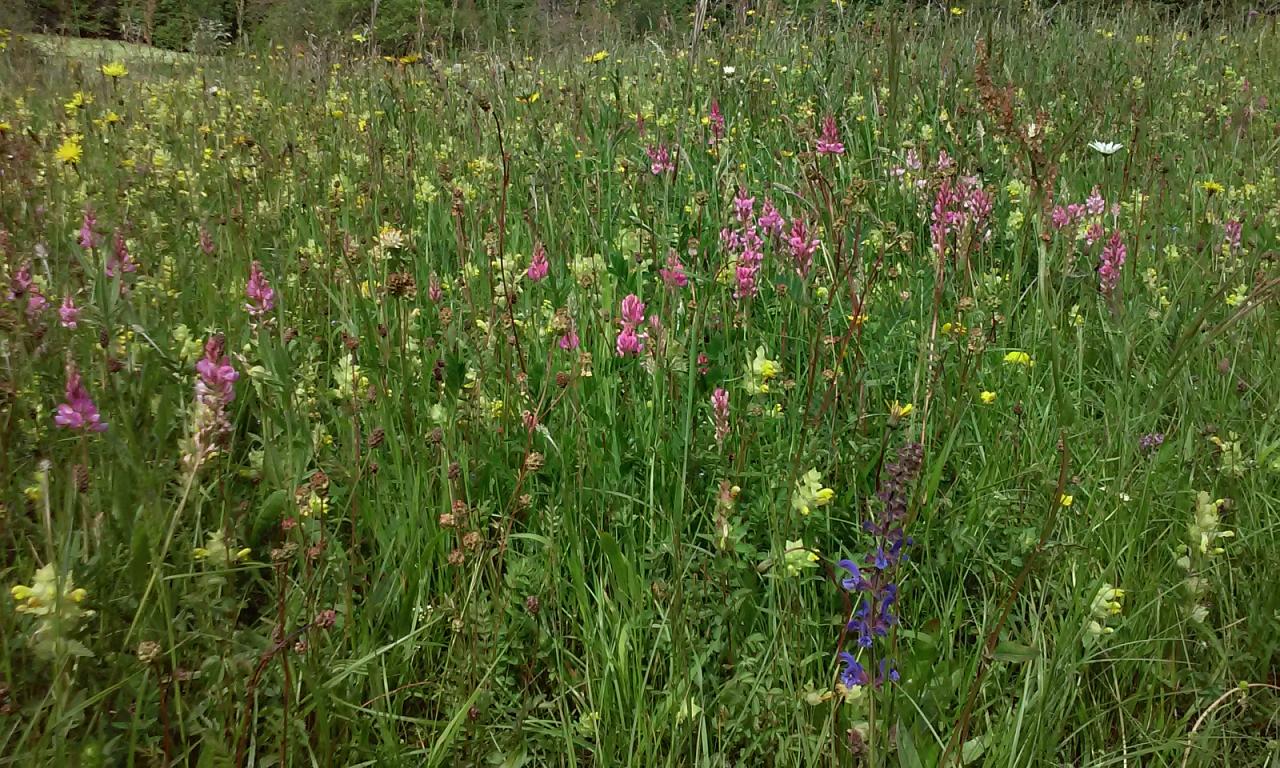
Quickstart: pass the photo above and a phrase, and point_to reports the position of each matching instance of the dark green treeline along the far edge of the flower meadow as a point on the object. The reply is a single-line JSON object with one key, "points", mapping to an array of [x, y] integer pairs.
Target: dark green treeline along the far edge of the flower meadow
{"points": [[403, 26]]}
